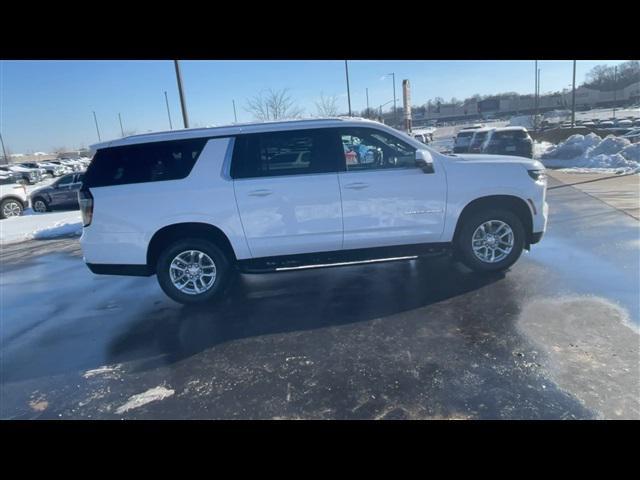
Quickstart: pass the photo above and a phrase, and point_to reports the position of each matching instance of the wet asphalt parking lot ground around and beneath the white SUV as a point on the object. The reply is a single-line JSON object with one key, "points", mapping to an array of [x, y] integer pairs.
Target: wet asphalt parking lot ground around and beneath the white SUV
{"points": [[554, 338]]}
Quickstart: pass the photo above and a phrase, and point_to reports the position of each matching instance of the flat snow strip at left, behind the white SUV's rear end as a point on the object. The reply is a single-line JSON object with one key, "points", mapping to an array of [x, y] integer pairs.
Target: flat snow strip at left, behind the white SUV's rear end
{"points": [[40, 227]]}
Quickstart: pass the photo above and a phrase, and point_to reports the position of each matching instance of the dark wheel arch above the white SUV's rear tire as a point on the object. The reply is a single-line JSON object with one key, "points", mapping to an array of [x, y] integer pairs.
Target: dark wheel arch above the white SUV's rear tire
{"points": [[177, 231]]}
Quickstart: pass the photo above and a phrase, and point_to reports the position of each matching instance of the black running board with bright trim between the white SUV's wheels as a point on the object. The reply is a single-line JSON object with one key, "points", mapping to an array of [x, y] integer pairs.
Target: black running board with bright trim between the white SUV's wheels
{"points": [[341, 258]]}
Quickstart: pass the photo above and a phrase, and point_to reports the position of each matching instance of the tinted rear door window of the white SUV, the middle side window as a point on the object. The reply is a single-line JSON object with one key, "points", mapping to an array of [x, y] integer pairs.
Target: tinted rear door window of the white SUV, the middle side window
{"points": [[285, 153]]}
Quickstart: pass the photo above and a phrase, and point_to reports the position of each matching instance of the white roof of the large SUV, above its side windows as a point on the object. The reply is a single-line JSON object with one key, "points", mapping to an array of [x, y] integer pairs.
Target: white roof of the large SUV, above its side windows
{"points": [[236, 129]]}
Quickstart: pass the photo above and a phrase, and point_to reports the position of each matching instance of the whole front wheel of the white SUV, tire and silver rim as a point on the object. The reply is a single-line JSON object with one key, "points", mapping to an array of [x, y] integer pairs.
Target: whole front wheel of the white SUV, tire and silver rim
{"points": [[491, 240]]}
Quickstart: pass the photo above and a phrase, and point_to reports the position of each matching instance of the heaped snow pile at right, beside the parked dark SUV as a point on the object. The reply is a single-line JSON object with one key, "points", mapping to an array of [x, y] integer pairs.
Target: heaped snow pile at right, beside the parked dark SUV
{"points": [[590, 153]]}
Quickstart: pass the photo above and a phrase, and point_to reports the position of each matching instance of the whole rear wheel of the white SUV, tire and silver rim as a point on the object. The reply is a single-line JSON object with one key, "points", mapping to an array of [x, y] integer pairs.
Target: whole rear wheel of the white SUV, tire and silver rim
{"points": [[193, 271]]}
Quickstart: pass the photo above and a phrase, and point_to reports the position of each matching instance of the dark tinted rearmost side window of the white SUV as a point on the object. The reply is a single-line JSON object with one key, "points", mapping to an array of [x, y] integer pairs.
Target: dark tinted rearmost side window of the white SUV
{"points": [[147, 162]]}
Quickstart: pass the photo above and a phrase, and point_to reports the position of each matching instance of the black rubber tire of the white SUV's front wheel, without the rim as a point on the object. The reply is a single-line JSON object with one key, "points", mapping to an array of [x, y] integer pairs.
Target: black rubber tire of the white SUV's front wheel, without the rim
{"points": [[464, 244]]}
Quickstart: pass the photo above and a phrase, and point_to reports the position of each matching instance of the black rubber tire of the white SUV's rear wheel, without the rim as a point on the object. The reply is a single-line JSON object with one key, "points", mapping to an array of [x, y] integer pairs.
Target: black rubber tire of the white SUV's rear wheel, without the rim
{"points": [[220, 260]]}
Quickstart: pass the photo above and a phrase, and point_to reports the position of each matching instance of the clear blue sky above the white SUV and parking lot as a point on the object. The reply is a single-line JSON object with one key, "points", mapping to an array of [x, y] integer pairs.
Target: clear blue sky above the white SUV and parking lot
{"points": [[49, 104]]}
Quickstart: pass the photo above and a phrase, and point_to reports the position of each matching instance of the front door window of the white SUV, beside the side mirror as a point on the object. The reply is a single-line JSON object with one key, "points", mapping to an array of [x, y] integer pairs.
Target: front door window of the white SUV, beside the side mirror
{"points": [[369, 149]]}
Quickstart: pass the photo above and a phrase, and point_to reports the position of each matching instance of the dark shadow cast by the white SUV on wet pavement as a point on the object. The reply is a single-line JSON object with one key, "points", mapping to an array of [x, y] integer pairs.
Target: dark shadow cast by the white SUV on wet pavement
{"points": [[267, 304]]}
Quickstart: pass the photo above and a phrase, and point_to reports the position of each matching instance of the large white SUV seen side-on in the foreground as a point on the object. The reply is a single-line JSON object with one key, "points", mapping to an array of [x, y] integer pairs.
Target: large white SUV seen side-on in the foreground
{"points": [[194, 206]]}
